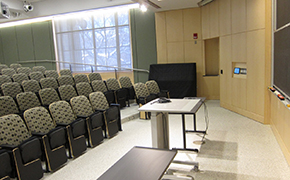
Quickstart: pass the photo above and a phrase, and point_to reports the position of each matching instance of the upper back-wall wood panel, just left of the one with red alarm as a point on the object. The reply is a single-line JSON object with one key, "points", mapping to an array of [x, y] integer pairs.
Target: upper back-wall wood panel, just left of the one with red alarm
{"points": [[174, 26]]}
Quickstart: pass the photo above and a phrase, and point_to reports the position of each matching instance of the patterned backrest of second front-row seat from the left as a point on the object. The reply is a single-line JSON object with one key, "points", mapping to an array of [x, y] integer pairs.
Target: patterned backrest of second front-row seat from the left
{"points": [[38, 120]]}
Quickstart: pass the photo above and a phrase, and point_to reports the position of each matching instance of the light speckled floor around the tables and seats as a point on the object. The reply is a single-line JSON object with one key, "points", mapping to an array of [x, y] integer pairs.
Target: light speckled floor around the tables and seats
{"points": [[235, 148]]}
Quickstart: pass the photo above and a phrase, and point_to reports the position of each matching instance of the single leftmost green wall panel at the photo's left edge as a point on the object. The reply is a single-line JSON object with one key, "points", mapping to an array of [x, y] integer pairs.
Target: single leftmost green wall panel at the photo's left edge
{"points": [[9, 45]]}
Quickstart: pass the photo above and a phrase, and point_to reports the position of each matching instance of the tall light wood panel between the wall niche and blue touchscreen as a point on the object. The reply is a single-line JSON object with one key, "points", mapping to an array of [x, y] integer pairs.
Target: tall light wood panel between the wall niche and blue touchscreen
{"points": [[226, 66]]}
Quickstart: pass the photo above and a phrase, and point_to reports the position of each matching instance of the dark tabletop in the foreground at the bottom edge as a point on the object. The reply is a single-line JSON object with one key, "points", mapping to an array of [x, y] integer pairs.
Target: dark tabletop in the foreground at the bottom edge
{"points": [[140, 164]]}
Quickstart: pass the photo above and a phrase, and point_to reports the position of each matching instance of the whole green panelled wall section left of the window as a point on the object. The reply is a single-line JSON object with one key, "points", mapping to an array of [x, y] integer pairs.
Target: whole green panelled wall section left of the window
{"points": [[27, 42]]}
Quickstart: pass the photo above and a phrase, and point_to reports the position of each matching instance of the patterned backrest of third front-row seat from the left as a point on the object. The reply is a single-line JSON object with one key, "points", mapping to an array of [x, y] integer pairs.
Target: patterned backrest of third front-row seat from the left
{"points": [[62, 112]]}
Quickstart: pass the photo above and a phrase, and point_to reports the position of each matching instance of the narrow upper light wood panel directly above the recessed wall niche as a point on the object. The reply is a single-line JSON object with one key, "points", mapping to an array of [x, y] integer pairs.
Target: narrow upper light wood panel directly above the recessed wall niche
{"points": [[214, 19]]}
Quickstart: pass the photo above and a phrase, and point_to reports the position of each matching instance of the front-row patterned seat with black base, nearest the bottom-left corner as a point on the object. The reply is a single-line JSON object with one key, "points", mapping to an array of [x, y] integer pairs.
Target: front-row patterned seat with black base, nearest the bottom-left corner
{"points": [[22, 147]]}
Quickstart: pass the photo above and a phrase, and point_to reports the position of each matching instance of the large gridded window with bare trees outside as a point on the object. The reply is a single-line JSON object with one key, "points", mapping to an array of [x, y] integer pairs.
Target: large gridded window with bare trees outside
{"points": [[100, 38]]}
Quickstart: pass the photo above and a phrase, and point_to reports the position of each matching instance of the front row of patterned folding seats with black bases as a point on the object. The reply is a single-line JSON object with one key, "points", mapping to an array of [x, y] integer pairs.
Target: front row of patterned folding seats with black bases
{"points": [[43, 134]]}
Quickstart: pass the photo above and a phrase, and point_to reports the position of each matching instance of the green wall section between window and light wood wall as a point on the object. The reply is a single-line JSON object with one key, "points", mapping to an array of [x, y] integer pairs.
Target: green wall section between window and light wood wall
{"points": [[143, 42]]}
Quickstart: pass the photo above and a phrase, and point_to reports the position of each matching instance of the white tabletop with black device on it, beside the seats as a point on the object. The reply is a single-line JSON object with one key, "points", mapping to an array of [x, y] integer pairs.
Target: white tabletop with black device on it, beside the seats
{"points": [[175, 106]]}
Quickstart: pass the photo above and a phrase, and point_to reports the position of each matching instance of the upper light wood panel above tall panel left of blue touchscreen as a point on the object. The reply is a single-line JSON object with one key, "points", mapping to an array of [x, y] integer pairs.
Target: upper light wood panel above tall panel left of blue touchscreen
{"points": [[225, 23]]}
